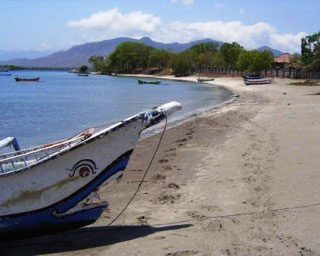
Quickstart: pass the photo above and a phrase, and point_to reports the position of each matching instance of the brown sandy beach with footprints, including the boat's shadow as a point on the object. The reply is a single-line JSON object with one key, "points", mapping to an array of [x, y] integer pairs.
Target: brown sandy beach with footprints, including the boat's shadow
{"points": [[239, 180]]}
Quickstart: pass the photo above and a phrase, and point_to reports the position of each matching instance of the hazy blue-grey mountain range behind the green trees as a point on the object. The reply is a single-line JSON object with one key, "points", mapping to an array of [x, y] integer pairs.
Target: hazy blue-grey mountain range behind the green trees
{"points": [[78, 55]]}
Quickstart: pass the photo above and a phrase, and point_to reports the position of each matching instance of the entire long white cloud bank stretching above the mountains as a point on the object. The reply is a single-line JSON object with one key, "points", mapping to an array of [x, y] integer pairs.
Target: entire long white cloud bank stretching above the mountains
{"points": [[113, 23]]}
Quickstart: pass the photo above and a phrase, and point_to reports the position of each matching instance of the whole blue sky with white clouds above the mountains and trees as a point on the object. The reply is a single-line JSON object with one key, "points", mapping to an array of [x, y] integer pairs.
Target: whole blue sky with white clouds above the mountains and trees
{"points": [[59, 24]]}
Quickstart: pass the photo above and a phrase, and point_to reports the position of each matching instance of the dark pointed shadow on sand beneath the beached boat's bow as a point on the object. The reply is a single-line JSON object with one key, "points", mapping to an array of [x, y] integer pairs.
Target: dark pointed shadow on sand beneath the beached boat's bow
{"points": [[85, 238]]}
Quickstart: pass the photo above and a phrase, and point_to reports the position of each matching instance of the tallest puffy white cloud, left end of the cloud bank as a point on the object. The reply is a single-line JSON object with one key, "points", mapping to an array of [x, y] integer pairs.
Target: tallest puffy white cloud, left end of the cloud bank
{"points": [[114, 21]]}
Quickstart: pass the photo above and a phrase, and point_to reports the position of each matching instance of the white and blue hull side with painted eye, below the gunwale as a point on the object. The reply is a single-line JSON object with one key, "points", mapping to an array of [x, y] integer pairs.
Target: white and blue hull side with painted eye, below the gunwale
{"points": [[53, 195]]}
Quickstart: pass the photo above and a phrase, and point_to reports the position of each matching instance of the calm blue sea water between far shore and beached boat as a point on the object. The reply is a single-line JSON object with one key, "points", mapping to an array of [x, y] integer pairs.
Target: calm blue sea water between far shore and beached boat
{"points": [[63, 104]]}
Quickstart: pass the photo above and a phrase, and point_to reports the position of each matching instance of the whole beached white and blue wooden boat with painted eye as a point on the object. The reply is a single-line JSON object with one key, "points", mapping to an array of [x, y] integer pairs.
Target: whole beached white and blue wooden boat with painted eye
{"points": [[51, 187]]}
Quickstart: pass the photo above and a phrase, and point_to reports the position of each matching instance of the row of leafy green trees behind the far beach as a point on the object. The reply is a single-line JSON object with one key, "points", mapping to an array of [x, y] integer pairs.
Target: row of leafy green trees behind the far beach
{"points": [[130, 56]]}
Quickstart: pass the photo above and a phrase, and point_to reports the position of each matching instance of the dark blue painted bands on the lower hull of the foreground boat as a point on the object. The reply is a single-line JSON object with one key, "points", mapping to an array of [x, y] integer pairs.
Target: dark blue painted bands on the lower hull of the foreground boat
{"points": [[52, 219]]}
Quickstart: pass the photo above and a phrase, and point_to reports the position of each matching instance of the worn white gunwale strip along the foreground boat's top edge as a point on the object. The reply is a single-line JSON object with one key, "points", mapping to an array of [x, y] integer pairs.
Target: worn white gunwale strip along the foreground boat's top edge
{"points": [[92, 138]]}
